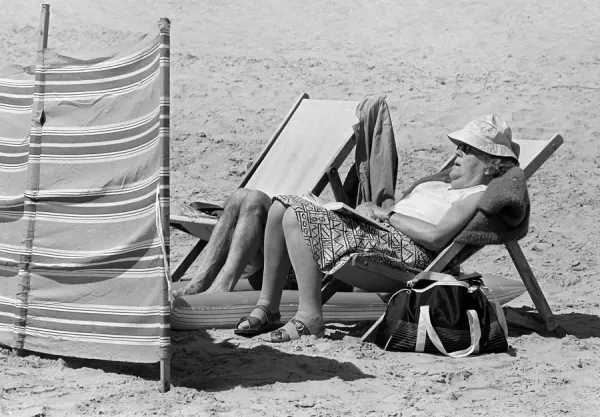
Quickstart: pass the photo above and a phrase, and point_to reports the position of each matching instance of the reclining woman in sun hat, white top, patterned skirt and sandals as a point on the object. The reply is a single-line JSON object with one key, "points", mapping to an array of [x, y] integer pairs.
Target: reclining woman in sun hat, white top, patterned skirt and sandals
{"points": [[315, 241]]}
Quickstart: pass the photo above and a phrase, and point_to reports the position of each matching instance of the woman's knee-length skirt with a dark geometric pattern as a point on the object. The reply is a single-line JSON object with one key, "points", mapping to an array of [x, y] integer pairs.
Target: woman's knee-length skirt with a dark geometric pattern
{"points": [[335, 239]]}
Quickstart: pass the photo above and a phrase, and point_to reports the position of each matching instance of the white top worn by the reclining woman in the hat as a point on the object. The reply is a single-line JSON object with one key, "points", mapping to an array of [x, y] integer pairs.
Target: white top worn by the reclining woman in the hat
{"points": [[431, 200]]}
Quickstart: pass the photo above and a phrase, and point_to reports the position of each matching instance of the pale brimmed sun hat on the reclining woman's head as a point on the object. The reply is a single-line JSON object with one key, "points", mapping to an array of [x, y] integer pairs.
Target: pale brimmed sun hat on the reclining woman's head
{"points": [[489, 134]]}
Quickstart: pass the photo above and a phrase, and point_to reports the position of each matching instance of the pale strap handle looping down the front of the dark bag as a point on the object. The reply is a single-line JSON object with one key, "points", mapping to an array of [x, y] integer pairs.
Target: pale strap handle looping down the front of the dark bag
{"points": [[426, 328]]}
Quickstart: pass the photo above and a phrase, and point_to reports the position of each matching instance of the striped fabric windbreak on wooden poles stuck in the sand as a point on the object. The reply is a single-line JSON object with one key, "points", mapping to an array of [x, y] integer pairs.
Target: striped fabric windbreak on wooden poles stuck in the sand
{"points": [[89, 271]]}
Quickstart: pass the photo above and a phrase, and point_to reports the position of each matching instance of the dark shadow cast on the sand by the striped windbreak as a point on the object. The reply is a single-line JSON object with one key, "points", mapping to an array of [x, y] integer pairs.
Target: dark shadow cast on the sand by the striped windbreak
{"points": [[200, 363]]}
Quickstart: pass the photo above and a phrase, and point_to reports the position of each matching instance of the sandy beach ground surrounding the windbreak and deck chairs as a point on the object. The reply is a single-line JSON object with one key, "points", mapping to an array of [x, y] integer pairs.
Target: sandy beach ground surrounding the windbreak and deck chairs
{"points": [[237, 67]]}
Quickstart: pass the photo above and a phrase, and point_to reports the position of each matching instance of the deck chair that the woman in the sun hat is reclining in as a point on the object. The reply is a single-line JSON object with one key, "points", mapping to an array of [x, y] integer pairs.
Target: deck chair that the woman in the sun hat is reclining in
{"points": [[533, 154]]}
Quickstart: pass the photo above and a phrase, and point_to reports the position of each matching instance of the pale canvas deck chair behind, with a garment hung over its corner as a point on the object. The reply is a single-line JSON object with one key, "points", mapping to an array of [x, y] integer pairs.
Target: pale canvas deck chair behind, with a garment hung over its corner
{"points": [[302, 156]]}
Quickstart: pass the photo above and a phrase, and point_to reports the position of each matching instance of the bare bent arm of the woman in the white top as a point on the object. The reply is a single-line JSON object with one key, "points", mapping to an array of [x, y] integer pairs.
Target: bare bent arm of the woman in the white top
{"points": [[430, 236]]}
